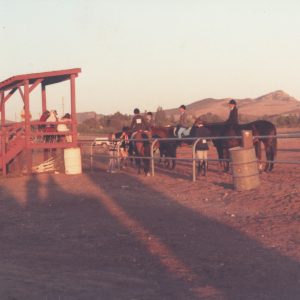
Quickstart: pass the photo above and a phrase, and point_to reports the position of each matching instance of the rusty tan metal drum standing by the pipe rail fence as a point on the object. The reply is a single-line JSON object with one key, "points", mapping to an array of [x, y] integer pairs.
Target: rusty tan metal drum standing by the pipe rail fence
{"points": [[244, 168]]}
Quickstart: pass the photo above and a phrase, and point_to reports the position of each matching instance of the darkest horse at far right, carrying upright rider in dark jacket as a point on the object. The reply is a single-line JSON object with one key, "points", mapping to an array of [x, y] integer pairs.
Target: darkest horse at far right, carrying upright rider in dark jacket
{"points": [[265, 129]]}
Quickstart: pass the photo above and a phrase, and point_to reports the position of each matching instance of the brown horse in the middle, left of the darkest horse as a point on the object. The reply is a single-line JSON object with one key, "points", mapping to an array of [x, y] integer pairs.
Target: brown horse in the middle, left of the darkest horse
{"points": [[167, 149]]}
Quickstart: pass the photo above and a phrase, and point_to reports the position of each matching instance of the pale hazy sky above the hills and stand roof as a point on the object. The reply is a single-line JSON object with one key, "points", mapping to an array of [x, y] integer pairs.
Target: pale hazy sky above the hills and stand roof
{"points": [[145, 54]]}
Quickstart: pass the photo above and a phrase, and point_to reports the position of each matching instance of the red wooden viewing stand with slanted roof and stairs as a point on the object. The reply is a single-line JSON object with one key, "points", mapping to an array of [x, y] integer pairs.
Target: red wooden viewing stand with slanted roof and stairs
{"points": [[25, 136]]}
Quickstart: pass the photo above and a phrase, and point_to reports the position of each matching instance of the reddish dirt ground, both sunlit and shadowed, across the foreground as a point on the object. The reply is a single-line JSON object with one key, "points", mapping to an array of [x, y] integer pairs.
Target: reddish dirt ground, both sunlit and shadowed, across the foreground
{"points": [[124, 236]]}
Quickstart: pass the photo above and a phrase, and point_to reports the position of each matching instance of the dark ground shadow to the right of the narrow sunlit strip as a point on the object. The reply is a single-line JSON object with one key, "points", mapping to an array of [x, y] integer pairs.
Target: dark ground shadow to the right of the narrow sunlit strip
{"points": [[222, 257]]}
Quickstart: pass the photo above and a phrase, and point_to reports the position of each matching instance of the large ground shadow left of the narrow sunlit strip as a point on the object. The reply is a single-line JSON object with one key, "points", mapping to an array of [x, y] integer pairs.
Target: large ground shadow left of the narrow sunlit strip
{"points": [[61, 245]]}
